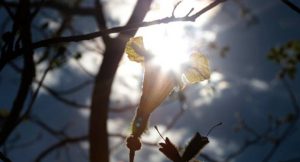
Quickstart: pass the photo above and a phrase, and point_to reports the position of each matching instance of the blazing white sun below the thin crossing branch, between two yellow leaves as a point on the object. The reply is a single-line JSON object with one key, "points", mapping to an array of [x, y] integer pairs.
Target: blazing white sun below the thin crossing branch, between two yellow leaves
{"points": [[169, 50]]}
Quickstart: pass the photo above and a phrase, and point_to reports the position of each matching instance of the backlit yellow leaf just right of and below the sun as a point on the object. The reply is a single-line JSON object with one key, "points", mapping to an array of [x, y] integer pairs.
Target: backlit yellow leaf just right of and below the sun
{"points": [[198, 70]]}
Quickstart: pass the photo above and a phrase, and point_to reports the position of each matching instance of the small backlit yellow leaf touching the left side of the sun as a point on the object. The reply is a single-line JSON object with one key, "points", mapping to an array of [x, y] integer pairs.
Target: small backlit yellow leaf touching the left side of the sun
{"points": [[130, 49]]}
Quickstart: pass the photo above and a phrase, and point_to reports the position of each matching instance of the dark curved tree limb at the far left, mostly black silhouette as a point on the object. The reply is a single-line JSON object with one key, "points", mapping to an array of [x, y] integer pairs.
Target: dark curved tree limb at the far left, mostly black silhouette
{"points": [[28, 72]]}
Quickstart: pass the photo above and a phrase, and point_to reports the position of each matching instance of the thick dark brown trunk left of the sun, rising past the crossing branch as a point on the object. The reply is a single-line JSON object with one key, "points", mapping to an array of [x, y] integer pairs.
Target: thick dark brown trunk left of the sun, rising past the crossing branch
{"points": [[98, 135]]}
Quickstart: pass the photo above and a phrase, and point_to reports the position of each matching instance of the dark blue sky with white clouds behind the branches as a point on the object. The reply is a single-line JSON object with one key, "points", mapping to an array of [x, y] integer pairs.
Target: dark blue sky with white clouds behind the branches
{"points": [[243, 83]]}
